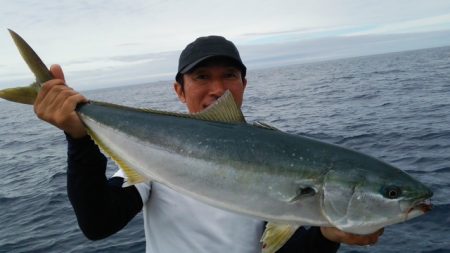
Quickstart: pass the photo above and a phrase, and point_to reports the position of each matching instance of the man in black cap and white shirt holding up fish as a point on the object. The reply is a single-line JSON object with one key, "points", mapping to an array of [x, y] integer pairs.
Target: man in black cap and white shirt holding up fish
{"points": [[173, 223]]}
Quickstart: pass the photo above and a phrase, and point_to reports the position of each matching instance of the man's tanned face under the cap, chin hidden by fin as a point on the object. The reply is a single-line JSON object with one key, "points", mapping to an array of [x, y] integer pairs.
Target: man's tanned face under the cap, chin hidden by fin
{"points": [[205, 84]]}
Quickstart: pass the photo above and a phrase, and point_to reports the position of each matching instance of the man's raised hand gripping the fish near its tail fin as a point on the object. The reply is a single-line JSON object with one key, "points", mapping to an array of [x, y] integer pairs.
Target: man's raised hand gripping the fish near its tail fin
{"points": [[56, 103]]}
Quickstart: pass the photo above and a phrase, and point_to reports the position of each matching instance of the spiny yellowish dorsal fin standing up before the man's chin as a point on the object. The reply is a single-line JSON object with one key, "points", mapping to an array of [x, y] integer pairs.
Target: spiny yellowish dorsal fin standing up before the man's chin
{"points": [[224, 109]]}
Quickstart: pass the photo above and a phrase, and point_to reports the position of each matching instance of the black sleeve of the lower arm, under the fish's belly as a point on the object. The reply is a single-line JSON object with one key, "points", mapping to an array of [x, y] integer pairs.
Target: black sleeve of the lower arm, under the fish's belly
{"points": [[309, 241]]}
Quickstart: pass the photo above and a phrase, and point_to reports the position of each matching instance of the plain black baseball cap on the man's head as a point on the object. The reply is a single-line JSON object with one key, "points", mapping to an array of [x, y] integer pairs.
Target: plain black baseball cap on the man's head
{"points": [[204, 48]]}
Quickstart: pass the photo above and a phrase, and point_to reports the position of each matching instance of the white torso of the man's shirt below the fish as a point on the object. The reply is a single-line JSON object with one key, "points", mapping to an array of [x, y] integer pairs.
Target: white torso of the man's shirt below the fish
{"points": [[178, 223]]}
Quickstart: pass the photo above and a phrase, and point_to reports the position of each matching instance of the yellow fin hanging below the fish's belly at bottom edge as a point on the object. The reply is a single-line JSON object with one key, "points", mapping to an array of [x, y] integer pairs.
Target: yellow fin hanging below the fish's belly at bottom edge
{"points": [[275, 236]]}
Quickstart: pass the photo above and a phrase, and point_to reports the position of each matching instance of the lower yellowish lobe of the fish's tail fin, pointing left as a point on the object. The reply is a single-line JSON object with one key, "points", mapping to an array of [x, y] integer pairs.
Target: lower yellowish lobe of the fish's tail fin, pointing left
{"points": [[24, 95]]}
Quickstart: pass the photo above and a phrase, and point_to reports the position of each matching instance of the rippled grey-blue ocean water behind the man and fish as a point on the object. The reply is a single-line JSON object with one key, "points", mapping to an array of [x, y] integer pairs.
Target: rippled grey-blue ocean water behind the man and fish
{"points": [[394, 106]]}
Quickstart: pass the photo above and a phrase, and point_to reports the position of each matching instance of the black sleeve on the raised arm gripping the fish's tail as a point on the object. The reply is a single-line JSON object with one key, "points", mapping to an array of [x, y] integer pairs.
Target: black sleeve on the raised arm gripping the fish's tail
{"points": [[102, 206]]}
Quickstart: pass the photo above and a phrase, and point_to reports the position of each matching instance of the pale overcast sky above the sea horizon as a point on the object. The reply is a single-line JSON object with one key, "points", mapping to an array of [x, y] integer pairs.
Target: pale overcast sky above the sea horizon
{"points": [[107, 43]]}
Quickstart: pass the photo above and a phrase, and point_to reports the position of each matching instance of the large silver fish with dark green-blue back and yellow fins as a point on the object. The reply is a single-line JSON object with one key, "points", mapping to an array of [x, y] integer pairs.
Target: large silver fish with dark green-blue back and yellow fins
{"points": [[257, 170]]}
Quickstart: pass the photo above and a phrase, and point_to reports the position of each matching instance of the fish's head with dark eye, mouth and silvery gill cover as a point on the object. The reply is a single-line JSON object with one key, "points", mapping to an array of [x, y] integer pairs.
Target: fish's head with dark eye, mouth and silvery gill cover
{"points": [[362, 201]]}
